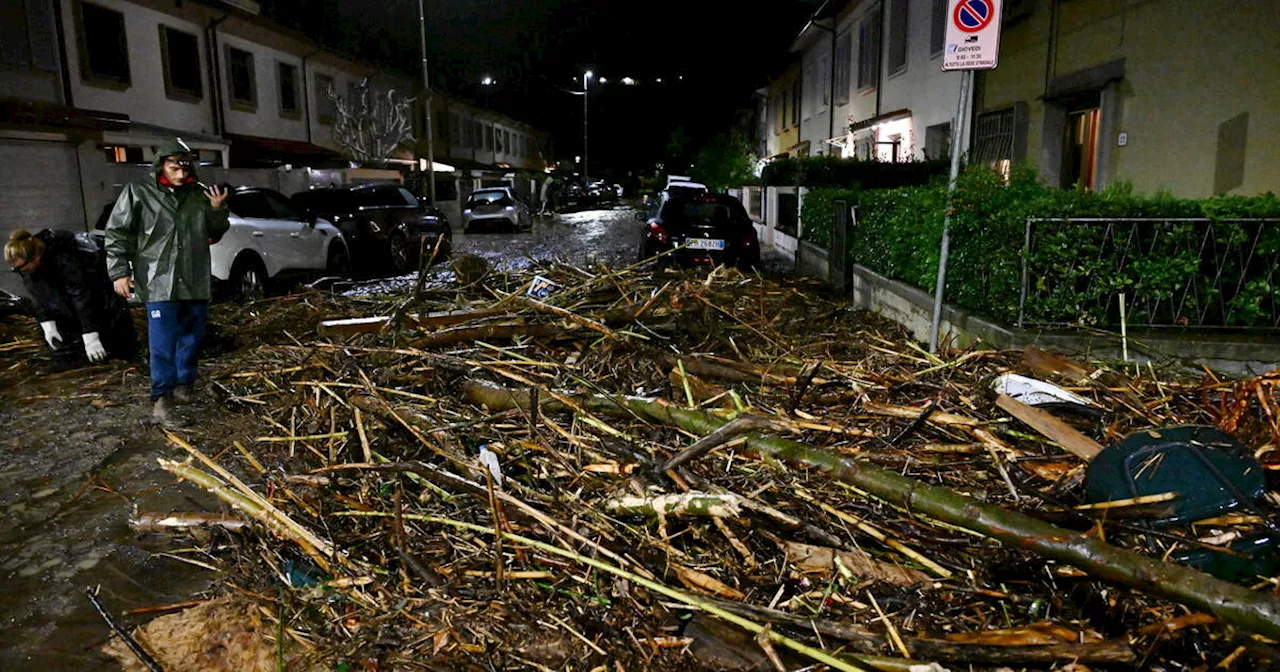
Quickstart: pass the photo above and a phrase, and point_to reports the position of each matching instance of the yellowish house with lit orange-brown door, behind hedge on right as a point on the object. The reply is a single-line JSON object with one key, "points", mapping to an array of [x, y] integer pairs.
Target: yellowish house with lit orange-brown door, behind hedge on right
{"points": [[1167, 95]]}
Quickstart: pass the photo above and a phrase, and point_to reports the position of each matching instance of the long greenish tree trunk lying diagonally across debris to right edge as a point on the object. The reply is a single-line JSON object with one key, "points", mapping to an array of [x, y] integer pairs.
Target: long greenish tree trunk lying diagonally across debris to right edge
{"points": [[1249, 610]]}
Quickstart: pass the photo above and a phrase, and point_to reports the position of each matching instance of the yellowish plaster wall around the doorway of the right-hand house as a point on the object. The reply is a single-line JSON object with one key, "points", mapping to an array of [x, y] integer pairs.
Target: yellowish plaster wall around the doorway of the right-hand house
{"points": [[1188, 76]]}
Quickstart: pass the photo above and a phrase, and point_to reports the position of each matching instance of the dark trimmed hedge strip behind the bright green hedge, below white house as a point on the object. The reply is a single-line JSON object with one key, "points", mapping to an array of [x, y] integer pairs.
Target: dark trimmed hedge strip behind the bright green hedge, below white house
{"points": [[833, 172]]}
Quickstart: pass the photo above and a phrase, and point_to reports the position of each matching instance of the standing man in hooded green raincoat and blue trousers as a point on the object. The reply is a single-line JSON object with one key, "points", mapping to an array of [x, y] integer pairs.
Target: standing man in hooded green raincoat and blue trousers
{"points": [[158, 243]]}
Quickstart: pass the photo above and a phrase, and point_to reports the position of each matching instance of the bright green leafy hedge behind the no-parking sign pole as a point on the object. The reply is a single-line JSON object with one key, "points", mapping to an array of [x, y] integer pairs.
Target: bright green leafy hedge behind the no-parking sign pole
{"points": [[899, 231]]}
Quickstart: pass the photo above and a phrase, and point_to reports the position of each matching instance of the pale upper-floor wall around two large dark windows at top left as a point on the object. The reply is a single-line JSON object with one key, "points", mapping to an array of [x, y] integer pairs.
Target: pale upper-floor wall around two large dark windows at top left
{"points": [[145, 100]]}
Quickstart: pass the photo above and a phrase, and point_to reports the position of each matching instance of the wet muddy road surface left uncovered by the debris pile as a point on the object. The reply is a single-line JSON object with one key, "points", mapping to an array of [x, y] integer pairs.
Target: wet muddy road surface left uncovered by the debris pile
{"points": [[77, 461]]}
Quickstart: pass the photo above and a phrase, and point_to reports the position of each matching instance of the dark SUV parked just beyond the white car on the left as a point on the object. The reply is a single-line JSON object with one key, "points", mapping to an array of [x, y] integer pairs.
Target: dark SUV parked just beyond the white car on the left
{"points": [[386, 226]]}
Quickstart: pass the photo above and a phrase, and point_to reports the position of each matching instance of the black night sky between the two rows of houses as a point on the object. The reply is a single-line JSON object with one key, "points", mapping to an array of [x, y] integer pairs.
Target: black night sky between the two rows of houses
{"points": [[536, 49]]}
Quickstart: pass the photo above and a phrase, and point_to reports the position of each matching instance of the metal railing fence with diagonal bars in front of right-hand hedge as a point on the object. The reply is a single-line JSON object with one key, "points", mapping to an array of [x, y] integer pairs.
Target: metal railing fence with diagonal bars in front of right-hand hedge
{"points": [[1169, 272]]}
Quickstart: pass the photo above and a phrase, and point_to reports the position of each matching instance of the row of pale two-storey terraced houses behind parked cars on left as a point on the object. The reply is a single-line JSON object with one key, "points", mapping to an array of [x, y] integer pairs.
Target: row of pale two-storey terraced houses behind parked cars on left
{"points": [[90, 88]]}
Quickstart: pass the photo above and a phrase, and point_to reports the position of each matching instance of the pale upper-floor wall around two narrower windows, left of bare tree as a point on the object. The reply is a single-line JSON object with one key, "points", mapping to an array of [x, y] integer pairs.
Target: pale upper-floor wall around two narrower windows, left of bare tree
{"points": [[267, 121]]}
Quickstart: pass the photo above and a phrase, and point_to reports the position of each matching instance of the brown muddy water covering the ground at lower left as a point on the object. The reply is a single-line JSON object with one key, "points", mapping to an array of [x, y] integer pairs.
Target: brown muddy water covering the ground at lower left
{"points": [[74, 463]]}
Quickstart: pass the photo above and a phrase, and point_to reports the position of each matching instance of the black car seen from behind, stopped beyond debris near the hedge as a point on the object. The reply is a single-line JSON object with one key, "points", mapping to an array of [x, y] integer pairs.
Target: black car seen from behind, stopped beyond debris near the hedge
{"points": [[714, 230]]}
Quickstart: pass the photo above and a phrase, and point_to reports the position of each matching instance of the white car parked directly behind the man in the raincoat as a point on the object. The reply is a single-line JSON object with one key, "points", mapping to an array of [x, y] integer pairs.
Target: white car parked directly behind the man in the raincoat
{"points": [[271, 239]]}
